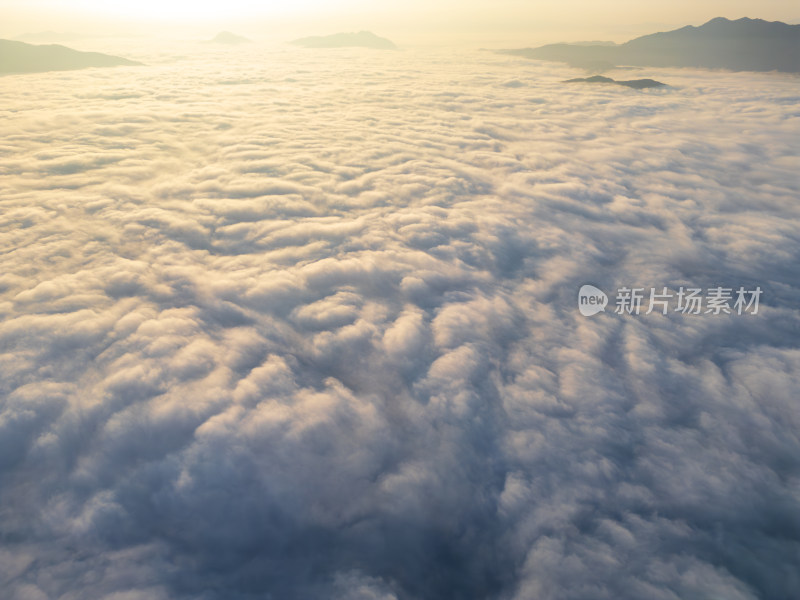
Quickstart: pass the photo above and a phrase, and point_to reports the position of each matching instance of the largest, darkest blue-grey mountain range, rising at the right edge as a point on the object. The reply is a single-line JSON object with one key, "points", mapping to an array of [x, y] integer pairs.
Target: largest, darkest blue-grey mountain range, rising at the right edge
{"points": [[741, 45]]}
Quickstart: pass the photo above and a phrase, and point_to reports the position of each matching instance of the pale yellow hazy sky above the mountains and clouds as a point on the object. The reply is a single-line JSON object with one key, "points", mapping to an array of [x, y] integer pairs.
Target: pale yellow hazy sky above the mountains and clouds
{"points": [[414, 18]]}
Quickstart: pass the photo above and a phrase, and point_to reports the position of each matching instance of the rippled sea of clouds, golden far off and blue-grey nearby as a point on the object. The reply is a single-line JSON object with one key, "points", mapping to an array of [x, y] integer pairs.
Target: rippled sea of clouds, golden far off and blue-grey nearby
{"points": [[291, 324]]}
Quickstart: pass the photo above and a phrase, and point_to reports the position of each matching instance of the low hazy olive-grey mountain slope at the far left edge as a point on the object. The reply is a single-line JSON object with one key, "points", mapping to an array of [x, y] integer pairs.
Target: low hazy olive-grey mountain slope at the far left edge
{"points": [[19, 57]]}
